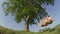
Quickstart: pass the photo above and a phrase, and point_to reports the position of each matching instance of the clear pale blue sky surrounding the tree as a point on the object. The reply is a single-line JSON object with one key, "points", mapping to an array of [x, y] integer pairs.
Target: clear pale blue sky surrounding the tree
{"points": [[9, 22]]}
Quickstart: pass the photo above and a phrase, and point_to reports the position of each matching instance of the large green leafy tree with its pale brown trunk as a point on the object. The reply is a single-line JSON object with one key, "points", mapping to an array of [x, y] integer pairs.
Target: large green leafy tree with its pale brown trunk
{"points": [[26, 10]]}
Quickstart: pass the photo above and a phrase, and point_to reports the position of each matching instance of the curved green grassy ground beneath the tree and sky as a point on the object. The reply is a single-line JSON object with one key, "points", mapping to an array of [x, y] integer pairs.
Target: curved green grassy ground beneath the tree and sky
{"points": [[4, 30]]}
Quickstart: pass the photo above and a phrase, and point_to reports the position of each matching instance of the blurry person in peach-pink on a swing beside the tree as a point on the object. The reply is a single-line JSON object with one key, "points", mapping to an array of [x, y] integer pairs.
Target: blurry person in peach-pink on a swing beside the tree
{"points": [[45, 21]]}
